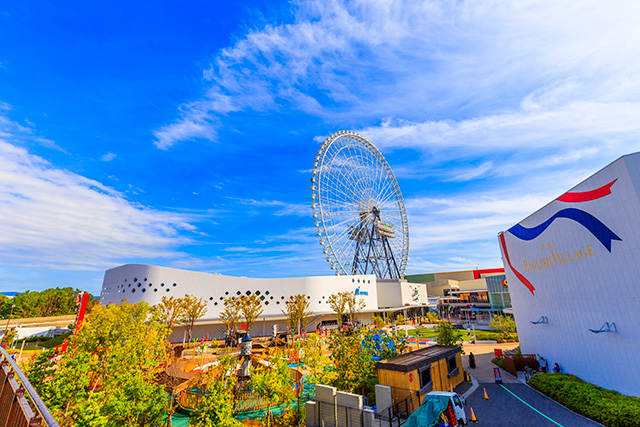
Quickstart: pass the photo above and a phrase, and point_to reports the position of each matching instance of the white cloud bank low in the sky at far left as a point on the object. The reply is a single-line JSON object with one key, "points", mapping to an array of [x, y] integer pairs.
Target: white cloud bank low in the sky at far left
{"points": [[53, 218]]}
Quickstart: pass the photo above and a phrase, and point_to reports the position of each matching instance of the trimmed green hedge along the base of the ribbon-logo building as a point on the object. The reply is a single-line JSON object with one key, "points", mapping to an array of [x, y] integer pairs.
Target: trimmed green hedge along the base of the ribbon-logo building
{"points": [[602, 405]]}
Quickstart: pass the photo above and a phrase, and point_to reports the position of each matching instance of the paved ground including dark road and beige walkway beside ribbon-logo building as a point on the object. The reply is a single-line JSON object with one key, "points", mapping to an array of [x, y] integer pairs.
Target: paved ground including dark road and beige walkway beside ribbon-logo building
{"points": [[514, 403]]}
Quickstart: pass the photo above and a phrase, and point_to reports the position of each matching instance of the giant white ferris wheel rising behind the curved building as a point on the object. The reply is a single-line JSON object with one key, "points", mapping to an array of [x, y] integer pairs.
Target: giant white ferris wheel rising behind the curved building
{"points": [[358, 208]]}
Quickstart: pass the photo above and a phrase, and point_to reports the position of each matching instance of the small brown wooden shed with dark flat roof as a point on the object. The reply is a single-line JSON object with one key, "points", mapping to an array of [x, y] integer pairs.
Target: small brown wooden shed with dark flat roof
{"points": [[434, 368]]}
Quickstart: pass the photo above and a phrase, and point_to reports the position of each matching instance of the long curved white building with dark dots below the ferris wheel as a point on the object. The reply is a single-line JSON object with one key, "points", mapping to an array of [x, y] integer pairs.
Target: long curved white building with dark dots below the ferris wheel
{"points": [[138, 282]]}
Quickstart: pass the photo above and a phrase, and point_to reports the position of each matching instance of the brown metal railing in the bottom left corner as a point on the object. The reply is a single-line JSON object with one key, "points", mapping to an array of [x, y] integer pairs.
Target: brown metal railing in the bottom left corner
{"points": [[20, 405]]}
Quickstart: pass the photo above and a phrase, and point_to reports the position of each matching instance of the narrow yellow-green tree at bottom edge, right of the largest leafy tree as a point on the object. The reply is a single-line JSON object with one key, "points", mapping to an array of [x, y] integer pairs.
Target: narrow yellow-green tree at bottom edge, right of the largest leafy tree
{"points": [[215, 407]]}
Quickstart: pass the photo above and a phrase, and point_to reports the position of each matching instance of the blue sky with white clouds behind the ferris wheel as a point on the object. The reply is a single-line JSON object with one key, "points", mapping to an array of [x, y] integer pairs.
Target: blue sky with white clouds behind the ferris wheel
{"points": [[183, 135]]}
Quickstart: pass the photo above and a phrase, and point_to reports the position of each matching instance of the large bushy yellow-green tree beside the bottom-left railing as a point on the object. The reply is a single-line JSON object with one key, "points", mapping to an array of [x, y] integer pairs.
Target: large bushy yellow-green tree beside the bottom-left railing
{"points": [[107, 376]]}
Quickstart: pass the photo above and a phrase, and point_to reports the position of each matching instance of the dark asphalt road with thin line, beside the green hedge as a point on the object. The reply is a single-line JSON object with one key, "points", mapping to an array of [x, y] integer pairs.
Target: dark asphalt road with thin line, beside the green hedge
{"points": [[505, 409]]}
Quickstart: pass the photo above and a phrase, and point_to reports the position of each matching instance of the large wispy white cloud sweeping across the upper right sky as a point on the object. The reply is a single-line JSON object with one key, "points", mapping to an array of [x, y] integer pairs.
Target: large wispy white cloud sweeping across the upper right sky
{"points": [[517, 100]]}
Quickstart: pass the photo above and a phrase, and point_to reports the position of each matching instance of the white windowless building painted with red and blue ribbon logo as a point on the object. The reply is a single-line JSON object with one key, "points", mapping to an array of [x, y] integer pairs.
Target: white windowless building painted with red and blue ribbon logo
{"points": [[573, 269]]}
